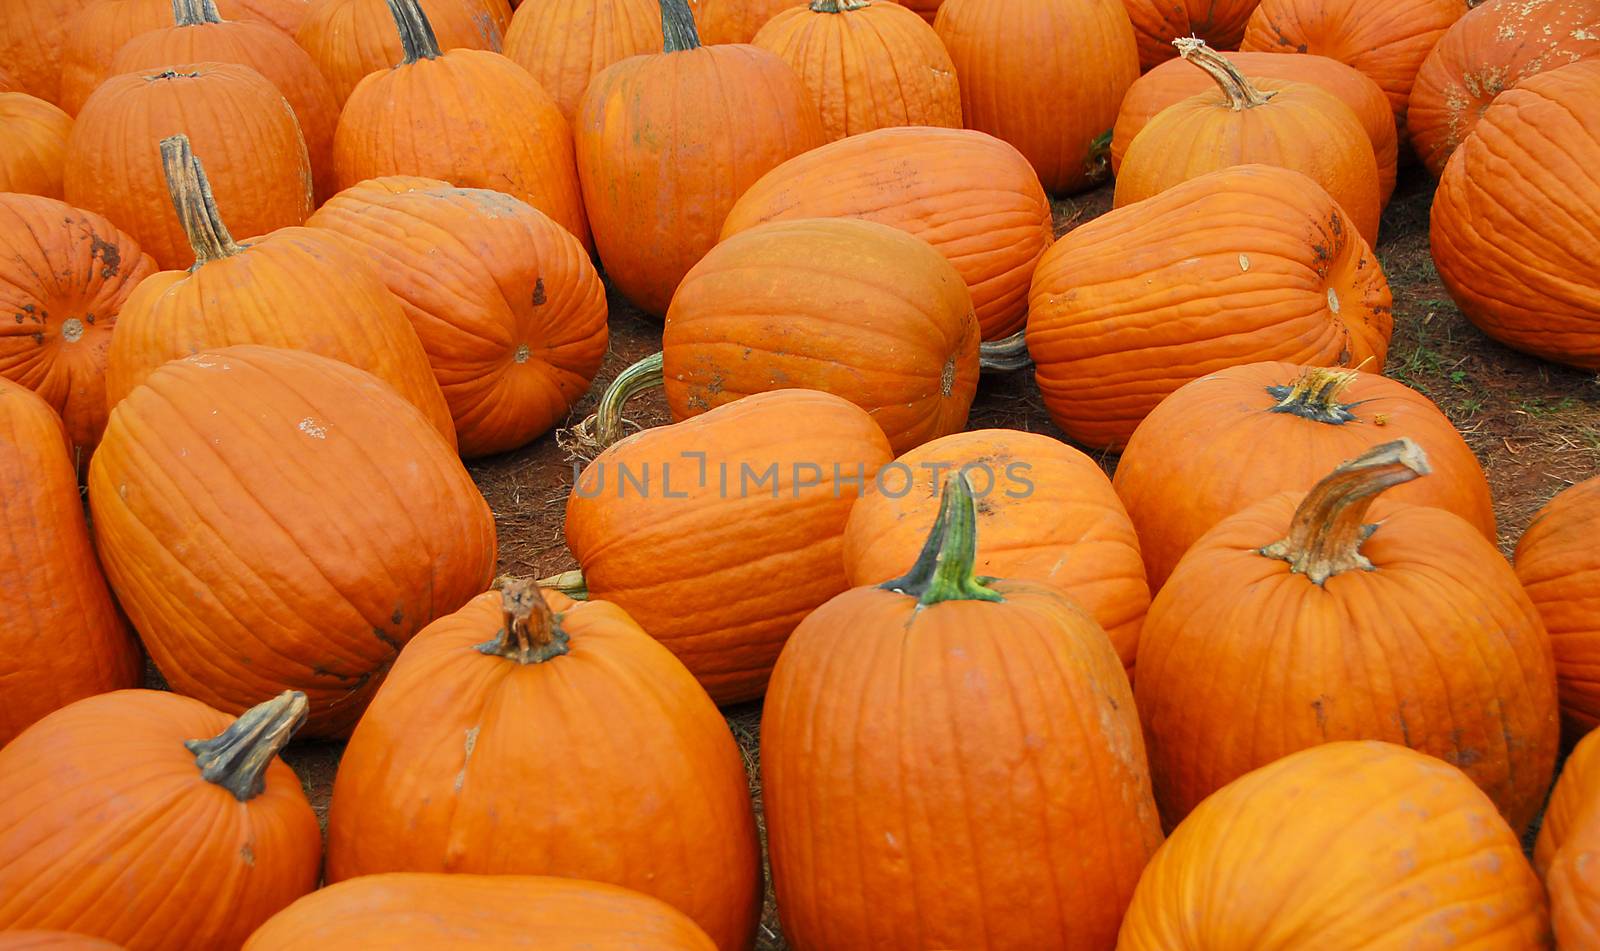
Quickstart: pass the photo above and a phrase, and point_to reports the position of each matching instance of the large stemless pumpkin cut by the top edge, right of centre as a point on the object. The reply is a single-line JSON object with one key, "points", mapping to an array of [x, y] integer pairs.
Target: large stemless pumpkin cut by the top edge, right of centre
{"points": [[1046, 78]]}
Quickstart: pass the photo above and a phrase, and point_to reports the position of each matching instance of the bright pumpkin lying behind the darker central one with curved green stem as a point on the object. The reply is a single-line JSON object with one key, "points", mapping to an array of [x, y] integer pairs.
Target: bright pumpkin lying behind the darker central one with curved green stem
{"points": [[969, 195]]}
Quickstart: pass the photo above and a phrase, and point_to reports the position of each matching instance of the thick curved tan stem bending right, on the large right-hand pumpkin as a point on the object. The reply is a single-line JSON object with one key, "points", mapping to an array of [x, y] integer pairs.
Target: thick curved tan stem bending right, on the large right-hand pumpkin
{"points": [[1327, 534]]}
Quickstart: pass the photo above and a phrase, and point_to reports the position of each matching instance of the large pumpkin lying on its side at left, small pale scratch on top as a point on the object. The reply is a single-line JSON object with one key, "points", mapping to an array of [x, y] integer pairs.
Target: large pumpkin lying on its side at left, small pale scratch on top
{"points": [[337, 523]]}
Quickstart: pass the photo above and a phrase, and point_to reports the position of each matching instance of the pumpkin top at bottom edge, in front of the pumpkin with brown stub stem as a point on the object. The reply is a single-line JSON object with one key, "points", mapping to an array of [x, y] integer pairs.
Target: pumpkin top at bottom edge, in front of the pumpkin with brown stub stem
{"points": [[420, 912]]}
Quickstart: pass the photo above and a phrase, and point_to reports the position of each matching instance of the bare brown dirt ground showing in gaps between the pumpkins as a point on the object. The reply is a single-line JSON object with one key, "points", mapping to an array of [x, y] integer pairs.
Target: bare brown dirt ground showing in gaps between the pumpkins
{"points": [[1535, 427]]}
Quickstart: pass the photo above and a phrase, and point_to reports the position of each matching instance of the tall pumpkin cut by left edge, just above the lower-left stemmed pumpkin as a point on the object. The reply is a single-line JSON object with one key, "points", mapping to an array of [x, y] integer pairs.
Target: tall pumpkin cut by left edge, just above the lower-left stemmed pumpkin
{"points": [[62, 638]]}
